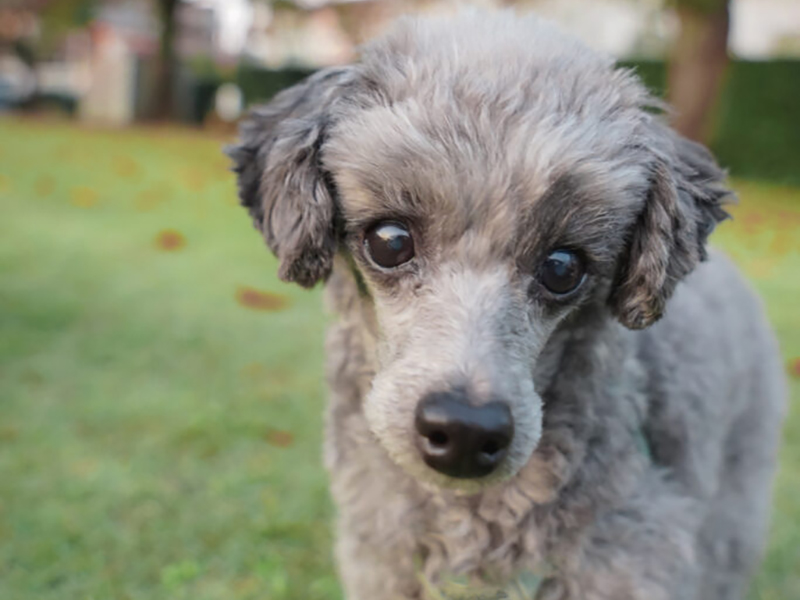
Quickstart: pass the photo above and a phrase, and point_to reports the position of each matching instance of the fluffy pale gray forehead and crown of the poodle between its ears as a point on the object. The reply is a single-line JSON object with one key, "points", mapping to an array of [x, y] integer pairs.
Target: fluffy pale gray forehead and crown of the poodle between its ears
{"points": [[465, 128]]}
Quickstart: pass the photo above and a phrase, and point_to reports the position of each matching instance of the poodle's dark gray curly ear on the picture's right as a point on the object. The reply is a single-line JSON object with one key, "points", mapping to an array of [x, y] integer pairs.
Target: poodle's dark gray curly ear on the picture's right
{"points": [[668, 240]]}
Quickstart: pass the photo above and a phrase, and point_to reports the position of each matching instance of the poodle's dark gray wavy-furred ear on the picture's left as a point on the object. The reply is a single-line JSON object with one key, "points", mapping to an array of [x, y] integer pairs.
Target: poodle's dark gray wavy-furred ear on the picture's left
{"points": [[280, 177]]}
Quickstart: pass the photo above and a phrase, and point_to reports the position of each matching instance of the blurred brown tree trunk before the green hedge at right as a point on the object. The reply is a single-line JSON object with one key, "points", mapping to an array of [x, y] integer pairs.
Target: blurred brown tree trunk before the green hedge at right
{"points": [[697, 67]]}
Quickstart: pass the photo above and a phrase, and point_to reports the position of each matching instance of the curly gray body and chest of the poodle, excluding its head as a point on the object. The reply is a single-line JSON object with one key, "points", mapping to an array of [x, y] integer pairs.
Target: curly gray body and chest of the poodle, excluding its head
{"points": [[614, 519]]}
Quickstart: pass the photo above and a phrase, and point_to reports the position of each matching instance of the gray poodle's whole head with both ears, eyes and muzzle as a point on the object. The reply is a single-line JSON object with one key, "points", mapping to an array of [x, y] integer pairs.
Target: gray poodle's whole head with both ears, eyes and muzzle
{"points": [[485, 178]]}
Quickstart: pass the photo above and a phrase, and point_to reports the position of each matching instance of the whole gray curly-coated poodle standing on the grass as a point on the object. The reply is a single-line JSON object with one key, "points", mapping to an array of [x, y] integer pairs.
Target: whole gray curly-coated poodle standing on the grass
{"points": [[542, 385]]}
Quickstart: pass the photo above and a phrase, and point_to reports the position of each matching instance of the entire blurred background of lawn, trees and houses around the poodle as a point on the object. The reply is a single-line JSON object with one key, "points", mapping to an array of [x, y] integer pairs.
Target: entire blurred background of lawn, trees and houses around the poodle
{"points": [[161, 392]]}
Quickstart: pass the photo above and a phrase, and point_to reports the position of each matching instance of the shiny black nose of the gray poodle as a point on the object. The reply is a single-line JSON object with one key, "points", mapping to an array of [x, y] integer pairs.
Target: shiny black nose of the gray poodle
{"points": [[461, 440]]}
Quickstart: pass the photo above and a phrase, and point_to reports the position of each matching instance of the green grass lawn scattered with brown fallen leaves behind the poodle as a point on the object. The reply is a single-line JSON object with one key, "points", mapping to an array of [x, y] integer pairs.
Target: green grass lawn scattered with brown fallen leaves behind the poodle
{"points": [[161, 391]]}
